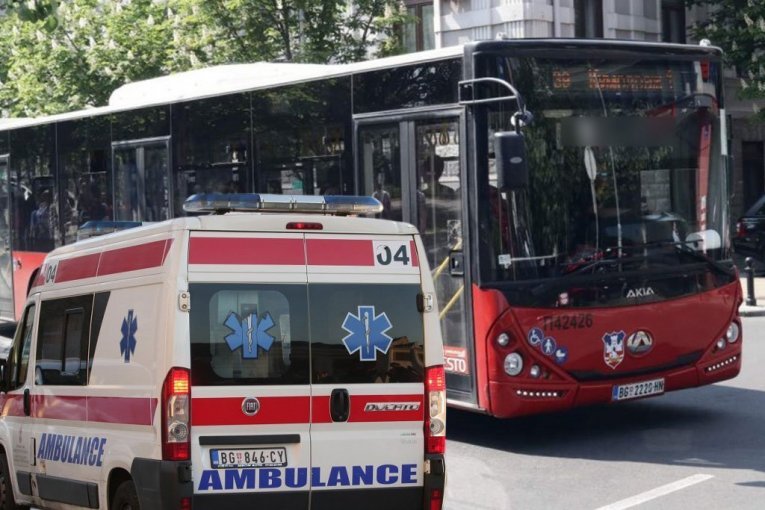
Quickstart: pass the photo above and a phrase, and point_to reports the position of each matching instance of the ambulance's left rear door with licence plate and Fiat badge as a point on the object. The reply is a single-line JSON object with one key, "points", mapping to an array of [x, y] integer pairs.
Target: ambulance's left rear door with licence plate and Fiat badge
{"points": [[249, 370]]}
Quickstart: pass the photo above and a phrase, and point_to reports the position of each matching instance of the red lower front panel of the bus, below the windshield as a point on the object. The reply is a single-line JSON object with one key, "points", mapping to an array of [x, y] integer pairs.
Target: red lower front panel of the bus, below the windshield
{"points": [[684, 351]]}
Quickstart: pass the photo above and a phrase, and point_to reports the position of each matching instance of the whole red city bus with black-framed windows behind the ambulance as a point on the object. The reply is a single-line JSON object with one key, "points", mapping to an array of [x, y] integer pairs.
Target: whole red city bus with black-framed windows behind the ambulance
{"points": [[572, 196]]}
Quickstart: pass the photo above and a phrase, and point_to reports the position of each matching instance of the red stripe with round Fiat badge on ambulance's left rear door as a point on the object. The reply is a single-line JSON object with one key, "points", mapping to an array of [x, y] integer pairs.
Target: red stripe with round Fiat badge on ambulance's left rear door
{"points": [[228, 411]]}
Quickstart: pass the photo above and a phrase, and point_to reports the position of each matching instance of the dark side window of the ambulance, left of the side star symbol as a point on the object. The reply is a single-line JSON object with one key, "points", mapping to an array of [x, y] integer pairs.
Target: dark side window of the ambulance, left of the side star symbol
{"points": [[62, 341]]}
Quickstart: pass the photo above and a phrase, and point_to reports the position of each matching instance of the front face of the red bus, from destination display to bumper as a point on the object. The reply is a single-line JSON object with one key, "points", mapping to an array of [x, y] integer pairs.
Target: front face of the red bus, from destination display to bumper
{"points": [[601, 231]]}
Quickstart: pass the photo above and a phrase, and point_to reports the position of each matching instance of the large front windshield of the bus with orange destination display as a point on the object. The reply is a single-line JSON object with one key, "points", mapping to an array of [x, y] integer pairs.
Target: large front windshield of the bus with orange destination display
{"points": [[625, 170]]}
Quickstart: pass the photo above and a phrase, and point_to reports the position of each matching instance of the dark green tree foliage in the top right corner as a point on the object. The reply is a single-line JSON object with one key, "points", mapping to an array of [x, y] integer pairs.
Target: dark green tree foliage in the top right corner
{"points": [[738, 27]]}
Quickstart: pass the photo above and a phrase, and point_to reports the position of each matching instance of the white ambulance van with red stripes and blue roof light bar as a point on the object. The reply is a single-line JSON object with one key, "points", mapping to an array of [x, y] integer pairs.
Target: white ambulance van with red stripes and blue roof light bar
{"points": [[278, 353]]}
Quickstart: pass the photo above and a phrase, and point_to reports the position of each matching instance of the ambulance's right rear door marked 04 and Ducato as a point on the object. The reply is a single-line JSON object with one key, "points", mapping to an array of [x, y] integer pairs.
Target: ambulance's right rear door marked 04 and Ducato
{"points": [[367, 372]]}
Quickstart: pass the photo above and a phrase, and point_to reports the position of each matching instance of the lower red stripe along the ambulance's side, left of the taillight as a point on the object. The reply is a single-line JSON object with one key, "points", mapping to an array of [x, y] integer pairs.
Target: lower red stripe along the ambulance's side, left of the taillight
{"points": [[117, 410]]}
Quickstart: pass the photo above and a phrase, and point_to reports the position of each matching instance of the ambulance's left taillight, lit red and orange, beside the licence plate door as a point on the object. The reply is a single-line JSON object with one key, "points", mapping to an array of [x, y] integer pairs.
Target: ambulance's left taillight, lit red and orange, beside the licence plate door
{"points": [[176, 415]]}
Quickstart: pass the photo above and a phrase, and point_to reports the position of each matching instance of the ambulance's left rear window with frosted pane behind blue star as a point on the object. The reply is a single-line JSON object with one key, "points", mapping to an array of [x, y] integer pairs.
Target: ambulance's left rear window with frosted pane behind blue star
{"points": [[244, 334]]}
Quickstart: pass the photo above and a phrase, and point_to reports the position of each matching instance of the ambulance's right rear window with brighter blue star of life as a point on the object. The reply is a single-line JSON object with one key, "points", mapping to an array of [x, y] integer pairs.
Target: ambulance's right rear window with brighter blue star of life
{"points": [[365, 333]]}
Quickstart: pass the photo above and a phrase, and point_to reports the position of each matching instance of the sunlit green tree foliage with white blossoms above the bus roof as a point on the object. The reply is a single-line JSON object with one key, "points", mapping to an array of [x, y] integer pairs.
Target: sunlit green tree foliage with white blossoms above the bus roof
{"points": [[58, 56]]}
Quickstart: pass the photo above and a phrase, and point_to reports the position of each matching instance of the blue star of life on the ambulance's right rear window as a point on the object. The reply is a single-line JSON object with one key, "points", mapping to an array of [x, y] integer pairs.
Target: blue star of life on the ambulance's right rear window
{"points": [[367, 333]]}
